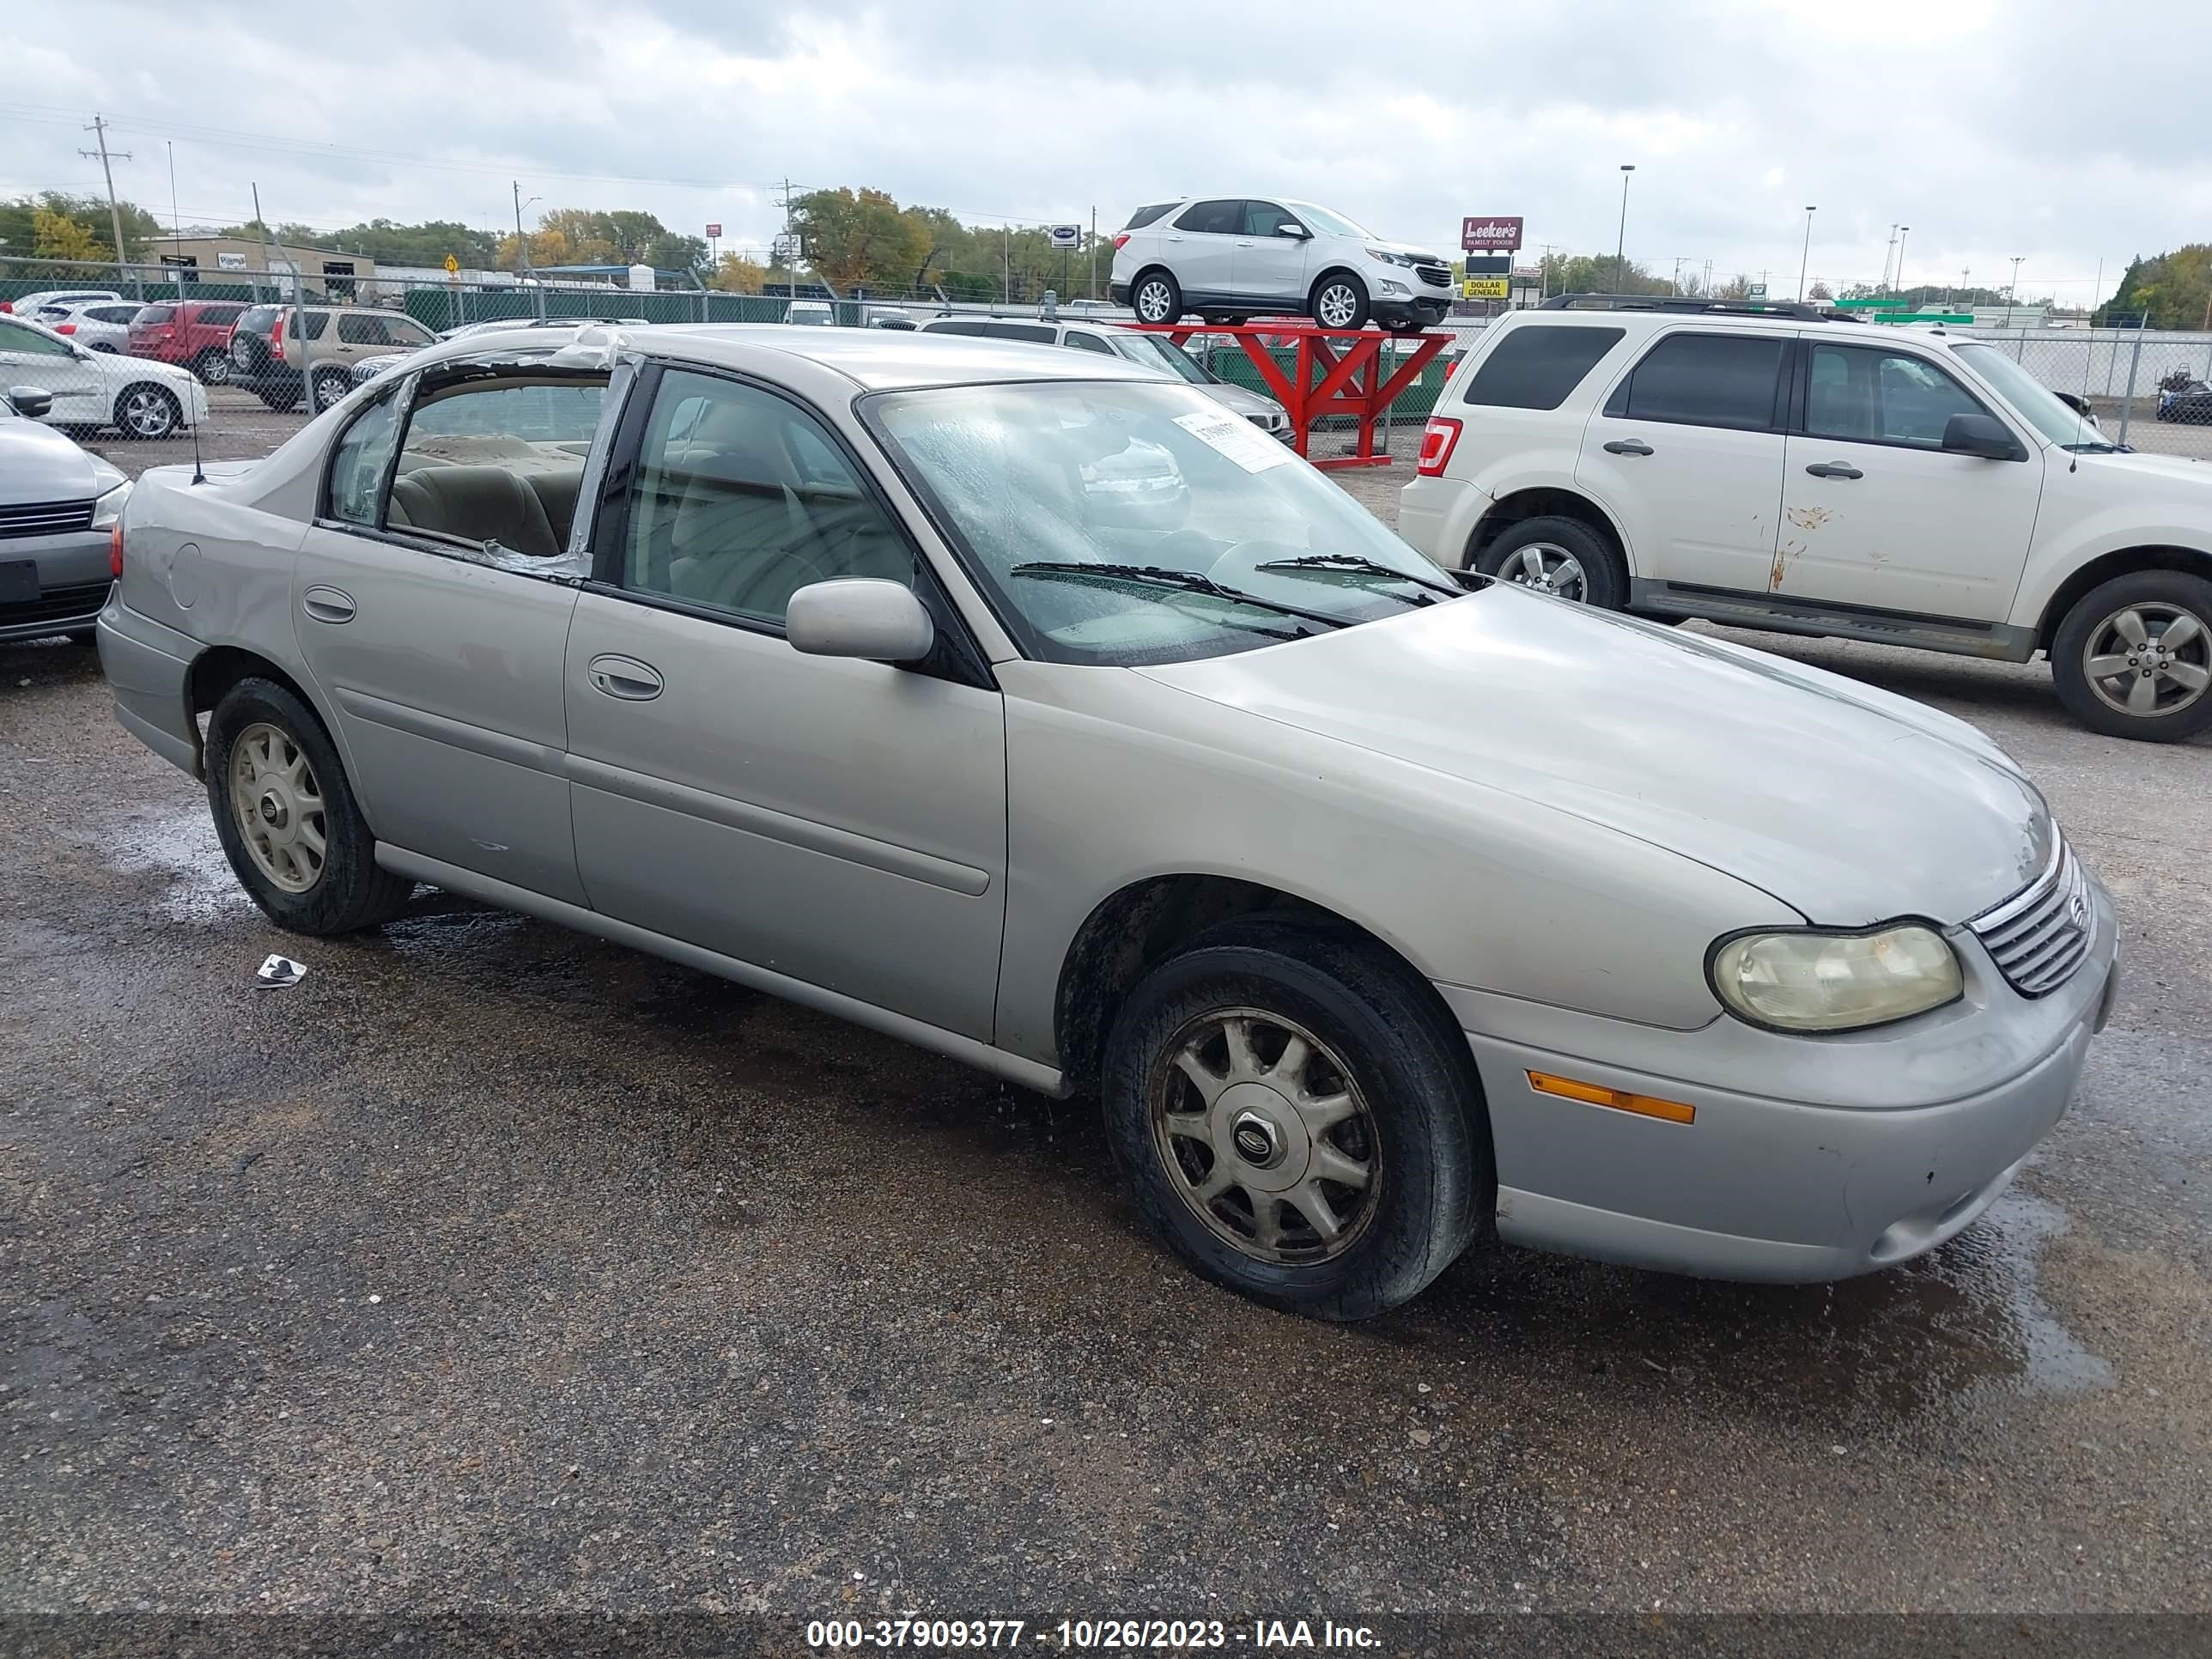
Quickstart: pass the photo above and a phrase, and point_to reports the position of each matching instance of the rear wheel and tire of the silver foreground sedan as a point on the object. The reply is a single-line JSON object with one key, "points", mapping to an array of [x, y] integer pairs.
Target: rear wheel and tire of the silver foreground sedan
{"points": [[289, 822]]}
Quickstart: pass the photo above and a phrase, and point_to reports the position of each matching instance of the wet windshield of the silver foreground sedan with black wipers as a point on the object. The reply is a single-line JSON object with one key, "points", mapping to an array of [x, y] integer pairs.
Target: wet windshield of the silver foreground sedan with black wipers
{"points": [[1129, 523]]}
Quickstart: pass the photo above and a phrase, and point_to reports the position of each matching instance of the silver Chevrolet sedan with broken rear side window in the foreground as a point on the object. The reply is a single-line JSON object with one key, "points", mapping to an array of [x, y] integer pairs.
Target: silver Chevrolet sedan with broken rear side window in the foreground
{"points": [[1043, 713]]}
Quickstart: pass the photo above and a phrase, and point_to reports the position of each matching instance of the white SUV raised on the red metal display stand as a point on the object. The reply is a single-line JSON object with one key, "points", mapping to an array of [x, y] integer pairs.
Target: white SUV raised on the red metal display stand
{"points": [[1235, 258]]}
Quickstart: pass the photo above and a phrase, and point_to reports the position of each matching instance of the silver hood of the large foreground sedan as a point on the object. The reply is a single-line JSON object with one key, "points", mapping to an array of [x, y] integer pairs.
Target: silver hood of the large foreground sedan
{"points": [[1844, 802]]}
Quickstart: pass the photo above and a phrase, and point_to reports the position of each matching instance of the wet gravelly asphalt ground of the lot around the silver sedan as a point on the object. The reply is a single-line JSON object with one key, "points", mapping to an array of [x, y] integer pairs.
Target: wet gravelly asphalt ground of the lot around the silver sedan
{"points": [[492, 1266]]}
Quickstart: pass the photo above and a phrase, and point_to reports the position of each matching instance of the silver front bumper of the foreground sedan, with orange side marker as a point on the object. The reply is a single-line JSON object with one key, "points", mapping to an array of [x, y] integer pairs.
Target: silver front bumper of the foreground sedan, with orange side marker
{"points": [[1799, 1185]]}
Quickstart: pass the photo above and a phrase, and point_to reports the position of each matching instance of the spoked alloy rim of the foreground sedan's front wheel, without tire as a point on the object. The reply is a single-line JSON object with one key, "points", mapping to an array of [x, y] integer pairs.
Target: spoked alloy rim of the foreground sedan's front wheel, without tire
{"points": [[1266, 1136]]}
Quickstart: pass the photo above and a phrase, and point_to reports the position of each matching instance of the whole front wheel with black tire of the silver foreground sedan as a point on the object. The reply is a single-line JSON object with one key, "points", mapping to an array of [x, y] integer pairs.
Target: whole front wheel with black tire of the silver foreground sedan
{"points": [[1297, 1120]]}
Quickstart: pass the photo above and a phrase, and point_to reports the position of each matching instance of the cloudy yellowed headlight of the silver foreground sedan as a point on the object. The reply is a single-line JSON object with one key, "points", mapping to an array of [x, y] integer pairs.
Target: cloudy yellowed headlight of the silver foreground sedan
{"points": [[1835, 981]]}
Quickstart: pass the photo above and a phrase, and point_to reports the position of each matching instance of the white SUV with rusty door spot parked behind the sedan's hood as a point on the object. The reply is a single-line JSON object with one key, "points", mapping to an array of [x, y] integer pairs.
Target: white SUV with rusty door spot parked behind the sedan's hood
{"points": [[1773, 470]]}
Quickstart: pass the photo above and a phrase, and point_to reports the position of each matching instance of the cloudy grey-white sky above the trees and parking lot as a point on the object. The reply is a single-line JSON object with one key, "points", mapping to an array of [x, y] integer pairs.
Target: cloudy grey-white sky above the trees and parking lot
{"points": [[2063, 134]]}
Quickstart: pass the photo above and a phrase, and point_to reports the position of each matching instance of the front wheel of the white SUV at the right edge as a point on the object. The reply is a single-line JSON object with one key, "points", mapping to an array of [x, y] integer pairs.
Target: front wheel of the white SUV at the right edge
{"points": [[2133, 658]]}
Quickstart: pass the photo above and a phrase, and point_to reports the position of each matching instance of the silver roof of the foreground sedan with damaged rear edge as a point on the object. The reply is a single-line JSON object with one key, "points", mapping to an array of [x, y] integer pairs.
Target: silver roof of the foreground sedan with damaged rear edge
{"points": [[873, 359]]}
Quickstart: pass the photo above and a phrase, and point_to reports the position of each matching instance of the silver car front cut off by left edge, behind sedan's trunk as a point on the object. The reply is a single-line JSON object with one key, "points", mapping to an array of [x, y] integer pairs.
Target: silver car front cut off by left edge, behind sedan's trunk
{"points": [[59, 510]]}
